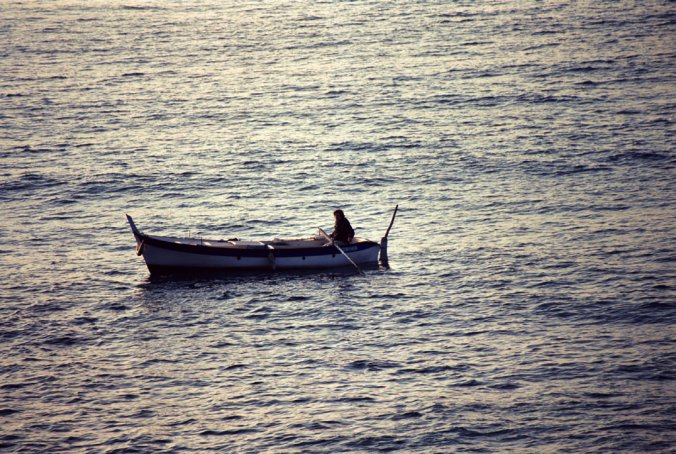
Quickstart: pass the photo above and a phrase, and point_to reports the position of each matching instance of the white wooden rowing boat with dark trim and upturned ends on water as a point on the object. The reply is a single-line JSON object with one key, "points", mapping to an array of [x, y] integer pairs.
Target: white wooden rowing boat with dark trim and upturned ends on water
{"points": [[172, 255]]}
